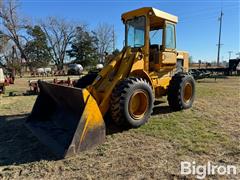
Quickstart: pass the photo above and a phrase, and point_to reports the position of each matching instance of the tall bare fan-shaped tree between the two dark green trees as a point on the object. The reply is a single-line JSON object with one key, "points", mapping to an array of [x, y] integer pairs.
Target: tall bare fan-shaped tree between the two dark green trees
{"points": [[59, 33]]}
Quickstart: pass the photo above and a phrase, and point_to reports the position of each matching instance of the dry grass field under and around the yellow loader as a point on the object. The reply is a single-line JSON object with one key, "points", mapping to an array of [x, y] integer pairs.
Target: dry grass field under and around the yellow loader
{"points": [[210, 131]]}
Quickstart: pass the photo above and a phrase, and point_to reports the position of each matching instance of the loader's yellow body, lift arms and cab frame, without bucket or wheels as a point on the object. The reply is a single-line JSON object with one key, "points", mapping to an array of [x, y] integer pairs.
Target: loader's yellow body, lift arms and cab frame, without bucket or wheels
{"points": [[132, 62]]}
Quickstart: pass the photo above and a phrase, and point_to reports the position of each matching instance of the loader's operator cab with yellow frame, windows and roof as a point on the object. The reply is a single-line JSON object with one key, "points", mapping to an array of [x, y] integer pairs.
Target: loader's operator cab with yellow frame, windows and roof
{"points": [[153, 32]]}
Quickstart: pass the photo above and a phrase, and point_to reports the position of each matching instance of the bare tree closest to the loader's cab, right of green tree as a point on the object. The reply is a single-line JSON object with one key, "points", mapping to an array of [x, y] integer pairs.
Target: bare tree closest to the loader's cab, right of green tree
{"points": [[106, 39]]}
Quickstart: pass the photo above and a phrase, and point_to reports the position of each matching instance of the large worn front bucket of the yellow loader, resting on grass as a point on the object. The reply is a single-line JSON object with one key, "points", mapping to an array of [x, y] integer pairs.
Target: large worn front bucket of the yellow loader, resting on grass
{"points": [[66, 119]]}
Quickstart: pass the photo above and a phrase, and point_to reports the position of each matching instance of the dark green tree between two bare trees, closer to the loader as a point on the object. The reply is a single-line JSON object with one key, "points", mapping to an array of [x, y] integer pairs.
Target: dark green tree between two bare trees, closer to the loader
{"points": [[84, 47]]}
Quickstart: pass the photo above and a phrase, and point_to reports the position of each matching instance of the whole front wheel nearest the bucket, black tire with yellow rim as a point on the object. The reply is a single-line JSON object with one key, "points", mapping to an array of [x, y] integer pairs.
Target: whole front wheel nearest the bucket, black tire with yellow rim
{"points": [[132, 102]]}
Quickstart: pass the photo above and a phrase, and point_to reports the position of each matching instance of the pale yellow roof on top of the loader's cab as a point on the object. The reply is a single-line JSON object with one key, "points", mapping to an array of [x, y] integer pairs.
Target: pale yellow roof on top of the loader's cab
{"points": [[157, 15]]}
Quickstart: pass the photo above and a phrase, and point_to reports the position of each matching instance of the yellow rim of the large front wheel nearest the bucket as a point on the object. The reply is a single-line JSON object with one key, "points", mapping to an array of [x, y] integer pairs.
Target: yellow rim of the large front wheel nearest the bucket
{"points": [[138, 104]]}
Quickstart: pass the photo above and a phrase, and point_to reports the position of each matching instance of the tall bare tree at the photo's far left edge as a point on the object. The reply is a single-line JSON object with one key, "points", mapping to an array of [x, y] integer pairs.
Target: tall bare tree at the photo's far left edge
{"points": [[12, 25]]}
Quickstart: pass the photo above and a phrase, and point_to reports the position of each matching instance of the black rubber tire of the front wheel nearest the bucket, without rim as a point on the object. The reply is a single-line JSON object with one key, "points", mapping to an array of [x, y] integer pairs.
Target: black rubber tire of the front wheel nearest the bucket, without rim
{"points": [[120, 102]]}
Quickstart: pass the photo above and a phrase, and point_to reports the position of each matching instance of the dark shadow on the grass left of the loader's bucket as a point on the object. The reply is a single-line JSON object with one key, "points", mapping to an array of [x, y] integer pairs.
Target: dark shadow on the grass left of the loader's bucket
{"points": [[17, 143]]}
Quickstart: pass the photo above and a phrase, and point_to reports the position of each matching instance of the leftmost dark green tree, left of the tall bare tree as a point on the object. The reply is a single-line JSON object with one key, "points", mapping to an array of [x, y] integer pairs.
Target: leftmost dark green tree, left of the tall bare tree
{"points": [[37, 50]]}
